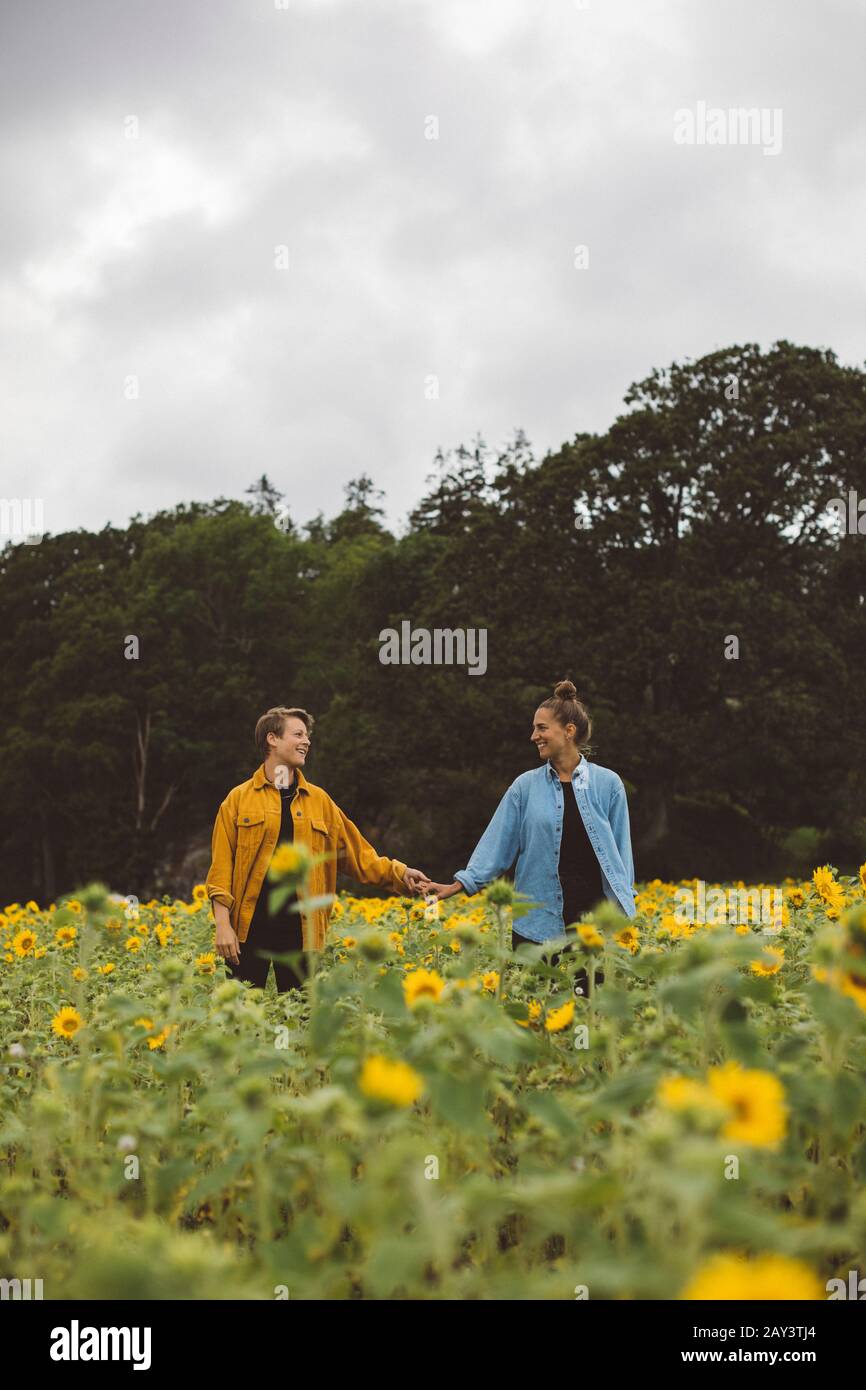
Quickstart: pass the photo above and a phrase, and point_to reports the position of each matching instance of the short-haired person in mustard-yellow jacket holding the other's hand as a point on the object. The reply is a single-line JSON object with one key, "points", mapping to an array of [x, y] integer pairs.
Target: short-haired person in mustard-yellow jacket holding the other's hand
{"points": [[275, 806]]}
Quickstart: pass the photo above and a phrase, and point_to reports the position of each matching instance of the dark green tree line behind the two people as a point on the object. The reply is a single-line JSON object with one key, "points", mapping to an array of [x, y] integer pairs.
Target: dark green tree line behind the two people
{"points": [[683, 569]]}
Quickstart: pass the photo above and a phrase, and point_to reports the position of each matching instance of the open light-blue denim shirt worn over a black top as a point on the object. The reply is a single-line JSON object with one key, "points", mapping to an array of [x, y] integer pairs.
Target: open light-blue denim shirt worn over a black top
{"points": [[528, 826]]}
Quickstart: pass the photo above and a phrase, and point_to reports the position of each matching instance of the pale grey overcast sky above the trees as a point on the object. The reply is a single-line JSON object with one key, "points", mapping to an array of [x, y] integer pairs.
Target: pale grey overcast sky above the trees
{"points": [[255, 127]]}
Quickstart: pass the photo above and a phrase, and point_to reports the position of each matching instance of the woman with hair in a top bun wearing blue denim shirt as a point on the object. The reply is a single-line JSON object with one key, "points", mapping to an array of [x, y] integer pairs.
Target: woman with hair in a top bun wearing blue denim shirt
{"points": [[566, 824]]}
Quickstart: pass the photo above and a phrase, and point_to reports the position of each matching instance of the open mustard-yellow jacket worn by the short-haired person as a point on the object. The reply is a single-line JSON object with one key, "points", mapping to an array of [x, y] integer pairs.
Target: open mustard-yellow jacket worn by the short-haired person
{"points": [[245, 836]]}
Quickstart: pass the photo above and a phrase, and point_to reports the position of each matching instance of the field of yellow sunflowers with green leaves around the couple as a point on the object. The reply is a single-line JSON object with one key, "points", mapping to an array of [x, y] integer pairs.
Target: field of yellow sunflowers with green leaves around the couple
{"points": [[436, 1117]]}
